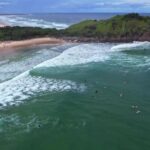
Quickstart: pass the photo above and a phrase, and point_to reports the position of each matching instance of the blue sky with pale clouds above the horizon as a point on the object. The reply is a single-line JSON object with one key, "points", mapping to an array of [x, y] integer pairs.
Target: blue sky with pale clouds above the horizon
{"points": [[30, 6]]}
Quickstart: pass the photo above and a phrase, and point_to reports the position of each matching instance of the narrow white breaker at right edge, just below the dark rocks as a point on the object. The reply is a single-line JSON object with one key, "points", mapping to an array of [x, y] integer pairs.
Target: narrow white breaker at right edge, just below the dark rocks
{"points": [[131, 46]]}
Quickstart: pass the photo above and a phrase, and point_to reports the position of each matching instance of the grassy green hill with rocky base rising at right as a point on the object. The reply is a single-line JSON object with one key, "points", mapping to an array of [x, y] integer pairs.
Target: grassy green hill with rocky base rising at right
{"points": [[125, 27]]}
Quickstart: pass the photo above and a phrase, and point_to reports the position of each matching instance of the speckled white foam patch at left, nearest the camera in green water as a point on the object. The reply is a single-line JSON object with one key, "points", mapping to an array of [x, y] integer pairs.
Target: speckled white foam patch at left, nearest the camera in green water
{"points": [[25, 86]]}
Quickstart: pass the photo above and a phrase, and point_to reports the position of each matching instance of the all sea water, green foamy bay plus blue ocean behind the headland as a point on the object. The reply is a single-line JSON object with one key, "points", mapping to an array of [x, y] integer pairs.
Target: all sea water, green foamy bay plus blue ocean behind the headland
{"points": [[87, 96]]}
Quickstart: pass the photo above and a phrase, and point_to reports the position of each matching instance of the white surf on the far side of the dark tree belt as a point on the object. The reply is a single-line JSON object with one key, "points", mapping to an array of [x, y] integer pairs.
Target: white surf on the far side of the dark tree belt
{"points": [[14, 20]]}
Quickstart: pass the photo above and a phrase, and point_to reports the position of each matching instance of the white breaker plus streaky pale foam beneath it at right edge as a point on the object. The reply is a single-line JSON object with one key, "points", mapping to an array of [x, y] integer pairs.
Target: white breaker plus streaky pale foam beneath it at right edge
{"points": [[134, 61]]}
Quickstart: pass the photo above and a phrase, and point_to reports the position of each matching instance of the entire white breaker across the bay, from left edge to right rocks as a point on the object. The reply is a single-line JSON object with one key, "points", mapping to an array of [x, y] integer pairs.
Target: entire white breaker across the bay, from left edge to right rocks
{"points": [[26, 86]]}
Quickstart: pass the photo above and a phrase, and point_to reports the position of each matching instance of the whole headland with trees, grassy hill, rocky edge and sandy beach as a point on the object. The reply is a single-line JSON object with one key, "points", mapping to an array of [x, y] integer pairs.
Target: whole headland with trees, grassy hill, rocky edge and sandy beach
{"points": [[118, 29]]}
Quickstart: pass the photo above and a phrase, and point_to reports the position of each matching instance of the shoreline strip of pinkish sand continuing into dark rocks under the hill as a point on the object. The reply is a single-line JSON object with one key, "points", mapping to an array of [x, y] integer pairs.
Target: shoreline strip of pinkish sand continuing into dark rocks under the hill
{"points": [[5, 45]]}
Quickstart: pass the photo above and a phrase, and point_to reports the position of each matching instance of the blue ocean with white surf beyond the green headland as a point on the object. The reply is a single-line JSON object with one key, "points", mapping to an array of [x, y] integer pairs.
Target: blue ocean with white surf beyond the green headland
{"points": [[54, 20]]}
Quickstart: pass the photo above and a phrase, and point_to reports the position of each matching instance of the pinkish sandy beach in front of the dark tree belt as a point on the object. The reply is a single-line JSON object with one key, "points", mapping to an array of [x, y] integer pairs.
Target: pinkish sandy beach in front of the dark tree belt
{"points": [[29, 42]]}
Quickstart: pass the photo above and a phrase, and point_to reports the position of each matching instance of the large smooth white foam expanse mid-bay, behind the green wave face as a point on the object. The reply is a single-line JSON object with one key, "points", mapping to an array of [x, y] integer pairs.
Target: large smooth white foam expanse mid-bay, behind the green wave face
{"points": [[81, 54]]}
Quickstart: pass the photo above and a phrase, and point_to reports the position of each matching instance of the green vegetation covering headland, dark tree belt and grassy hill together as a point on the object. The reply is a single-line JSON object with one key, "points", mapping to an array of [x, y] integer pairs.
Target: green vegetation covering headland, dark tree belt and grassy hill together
{"points": [[119, 28]]}
